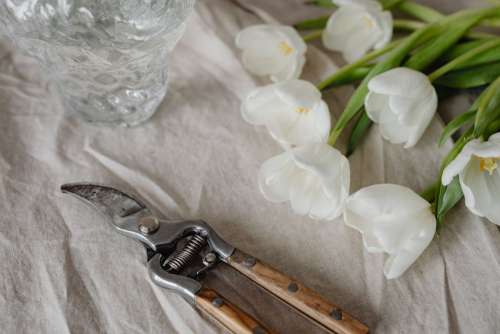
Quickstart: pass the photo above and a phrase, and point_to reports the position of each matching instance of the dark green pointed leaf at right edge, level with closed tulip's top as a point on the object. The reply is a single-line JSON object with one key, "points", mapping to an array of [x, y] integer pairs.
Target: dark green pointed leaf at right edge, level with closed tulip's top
{"points": [[471, 77]]}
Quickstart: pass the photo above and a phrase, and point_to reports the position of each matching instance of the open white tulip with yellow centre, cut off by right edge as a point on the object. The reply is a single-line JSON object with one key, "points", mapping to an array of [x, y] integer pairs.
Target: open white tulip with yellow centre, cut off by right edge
{"points": [[479, 175]]}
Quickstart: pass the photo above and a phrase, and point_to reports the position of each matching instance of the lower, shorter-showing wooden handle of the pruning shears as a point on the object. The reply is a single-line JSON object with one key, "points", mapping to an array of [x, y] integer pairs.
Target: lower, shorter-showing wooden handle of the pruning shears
{"points": [[227, 314]]}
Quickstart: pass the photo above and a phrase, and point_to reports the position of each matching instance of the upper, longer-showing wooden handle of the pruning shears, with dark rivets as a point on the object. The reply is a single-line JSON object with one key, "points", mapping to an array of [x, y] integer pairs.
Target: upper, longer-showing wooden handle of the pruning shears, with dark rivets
{"points": [[295, 294]]}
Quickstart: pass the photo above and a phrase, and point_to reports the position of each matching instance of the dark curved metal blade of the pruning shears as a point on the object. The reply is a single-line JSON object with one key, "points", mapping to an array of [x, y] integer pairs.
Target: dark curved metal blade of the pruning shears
{"points": [[111, 202]]}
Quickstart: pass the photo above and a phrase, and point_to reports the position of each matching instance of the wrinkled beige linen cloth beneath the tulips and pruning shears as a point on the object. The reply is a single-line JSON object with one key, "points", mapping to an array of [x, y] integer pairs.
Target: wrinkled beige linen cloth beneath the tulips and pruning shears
{"points": [[63, 269]]}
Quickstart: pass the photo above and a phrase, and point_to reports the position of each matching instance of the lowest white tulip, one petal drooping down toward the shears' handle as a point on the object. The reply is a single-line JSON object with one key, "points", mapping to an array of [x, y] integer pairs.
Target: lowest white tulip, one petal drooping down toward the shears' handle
{"points": [[392, 219]]}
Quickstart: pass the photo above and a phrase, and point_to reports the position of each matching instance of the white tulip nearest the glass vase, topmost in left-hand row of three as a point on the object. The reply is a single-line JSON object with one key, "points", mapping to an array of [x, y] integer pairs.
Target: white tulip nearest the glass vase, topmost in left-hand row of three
{"points": [[274, 50]]}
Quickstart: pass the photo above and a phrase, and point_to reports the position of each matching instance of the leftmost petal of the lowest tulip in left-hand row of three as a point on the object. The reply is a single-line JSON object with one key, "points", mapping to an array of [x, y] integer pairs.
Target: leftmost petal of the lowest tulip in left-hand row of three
{"points": [[274, 177]]}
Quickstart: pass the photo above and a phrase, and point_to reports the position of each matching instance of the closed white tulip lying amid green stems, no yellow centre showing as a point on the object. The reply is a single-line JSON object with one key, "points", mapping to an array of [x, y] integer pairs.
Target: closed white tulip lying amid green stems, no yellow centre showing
{"points": [[402, 102]]}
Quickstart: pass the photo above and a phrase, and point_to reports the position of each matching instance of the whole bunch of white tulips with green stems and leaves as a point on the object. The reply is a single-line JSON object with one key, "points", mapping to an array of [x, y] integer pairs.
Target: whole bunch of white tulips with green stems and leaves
{"points": [[398, 66]]}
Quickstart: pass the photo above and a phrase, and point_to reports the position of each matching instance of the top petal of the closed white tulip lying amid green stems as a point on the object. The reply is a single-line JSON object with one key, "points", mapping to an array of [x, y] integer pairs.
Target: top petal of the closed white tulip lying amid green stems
{"points": [[400, 81]]}
